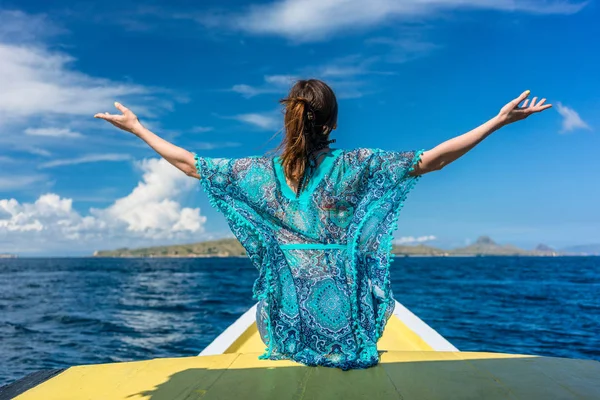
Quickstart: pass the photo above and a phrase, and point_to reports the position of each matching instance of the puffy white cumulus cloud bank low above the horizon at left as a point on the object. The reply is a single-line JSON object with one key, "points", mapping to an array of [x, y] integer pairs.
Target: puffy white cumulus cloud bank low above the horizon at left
{"points": [[150, 212]]}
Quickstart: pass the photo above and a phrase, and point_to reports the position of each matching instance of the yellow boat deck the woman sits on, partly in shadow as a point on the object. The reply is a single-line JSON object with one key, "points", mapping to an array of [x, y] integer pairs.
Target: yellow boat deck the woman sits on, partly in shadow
{"points": [[409, 369]]}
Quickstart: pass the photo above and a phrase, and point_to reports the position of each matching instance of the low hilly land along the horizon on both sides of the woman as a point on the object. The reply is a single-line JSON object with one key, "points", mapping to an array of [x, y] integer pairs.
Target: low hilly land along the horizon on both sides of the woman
{"points": [[484, 246]]}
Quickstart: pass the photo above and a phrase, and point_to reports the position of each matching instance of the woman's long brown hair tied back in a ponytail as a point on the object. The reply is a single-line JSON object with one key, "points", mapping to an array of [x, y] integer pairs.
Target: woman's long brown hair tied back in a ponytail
{"points": [[310, 115]]}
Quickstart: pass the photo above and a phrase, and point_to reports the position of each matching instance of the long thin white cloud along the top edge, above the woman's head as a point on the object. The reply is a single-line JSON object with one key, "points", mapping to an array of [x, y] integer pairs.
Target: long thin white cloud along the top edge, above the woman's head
{"points": [[307, 20]]}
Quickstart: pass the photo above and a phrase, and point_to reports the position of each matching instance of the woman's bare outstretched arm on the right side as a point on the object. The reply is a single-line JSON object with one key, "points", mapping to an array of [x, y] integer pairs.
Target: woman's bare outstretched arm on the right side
{"points": [[451, 150]]}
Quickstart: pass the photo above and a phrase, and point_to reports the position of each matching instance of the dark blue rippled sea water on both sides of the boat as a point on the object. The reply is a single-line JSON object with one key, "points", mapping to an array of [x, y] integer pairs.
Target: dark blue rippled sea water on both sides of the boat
{"points": [[58, 312]]}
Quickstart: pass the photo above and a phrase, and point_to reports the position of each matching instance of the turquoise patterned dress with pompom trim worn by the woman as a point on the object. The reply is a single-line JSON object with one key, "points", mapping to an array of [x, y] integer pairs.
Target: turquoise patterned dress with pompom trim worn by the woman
{"points": [[323, 285]]}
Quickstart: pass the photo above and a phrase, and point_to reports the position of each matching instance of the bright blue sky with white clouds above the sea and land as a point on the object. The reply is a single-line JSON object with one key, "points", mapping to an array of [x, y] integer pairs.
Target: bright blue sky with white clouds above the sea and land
{"points": [[207, 77]]}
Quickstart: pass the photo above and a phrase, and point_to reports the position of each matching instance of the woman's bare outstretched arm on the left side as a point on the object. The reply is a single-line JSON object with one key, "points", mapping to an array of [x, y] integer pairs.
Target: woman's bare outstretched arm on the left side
{"points": [[128, 121]]}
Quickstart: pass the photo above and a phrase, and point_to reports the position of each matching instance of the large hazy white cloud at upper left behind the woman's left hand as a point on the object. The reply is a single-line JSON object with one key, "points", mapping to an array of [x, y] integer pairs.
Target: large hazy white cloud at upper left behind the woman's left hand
{"points": [[39, 85]]}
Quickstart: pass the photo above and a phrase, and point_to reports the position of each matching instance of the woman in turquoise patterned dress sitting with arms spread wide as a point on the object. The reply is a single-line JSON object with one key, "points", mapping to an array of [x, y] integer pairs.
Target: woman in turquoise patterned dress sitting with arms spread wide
{"points": [[317, 222]]}
